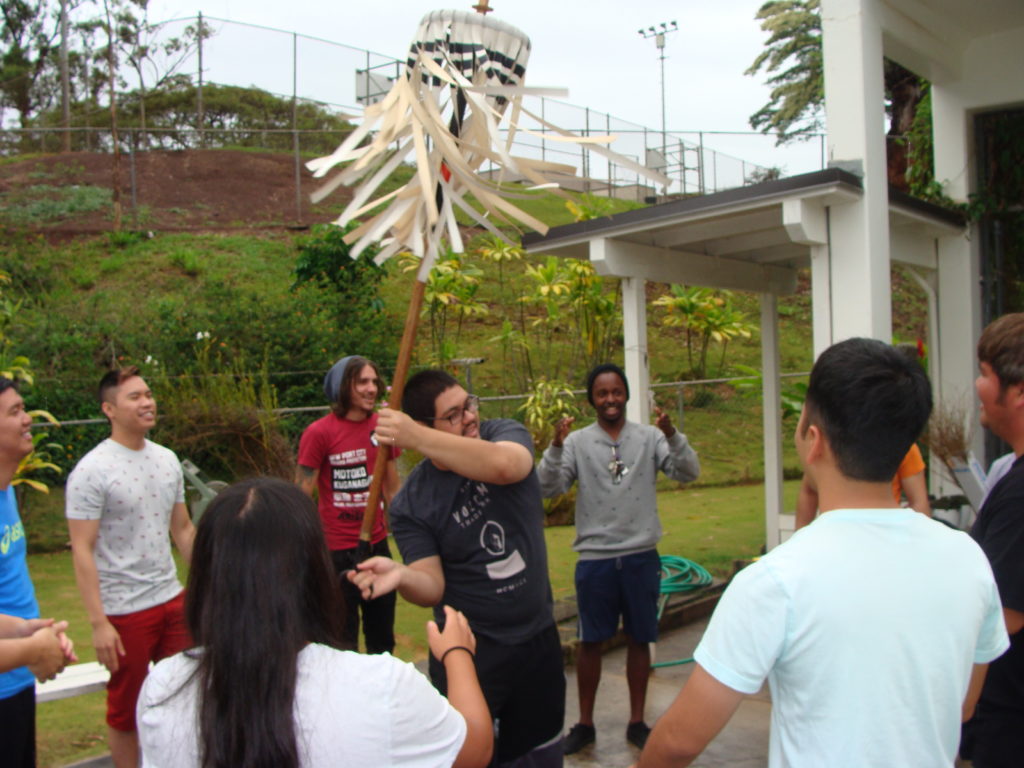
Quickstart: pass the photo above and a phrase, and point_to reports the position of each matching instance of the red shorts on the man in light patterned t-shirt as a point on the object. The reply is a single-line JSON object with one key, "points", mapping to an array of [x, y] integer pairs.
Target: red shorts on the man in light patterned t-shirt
{"points": [[148, 636]]}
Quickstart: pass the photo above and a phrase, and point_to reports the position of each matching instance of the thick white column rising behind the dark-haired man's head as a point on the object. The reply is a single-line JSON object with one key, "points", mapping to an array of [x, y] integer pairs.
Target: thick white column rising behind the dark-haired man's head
{"points": [[856, 116]]}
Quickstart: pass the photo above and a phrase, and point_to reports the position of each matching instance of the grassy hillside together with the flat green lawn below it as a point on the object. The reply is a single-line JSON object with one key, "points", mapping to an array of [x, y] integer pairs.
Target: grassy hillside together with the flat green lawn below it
{"points": [[203, 290]]}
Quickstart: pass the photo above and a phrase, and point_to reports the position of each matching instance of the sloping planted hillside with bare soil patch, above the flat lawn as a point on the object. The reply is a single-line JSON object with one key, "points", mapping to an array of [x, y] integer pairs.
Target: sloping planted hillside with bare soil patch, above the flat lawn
{"points": [[94, 300]]}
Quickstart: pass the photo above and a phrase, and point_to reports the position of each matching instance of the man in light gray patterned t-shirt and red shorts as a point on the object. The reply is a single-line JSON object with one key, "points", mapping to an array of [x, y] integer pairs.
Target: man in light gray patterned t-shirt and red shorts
{"points": [[121, 500]]}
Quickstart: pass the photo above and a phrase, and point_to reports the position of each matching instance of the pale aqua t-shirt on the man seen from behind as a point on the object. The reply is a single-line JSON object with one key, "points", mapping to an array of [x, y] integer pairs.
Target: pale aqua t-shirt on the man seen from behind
{"points": [[867, 625]]}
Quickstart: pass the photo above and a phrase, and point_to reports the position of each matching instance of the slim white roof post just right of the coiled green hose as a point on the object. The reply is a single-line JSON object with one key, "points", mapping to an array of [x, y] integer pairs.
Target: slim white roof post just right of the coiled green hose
{"points": [[773, 415]]}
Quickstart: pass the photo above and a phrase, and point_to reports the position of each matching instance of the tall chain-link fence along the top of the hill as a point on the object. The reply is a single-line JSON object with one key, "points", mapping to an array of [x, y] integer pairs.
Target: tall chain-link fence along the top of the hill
{"points": [[344, 78]]}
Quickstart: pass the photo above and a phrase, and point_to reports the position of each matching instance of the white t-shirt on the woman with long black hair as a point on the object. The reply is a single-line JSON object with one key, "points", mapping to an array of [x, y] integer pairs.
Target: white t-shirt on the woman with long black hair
{"points": [[351, 709]]}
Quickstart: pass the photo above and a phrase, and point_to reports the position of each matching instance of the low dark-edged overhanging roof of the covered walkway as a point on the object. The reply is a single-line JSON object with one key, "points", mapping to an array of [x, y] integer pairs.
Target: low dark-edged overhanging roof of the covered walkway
{"points": [[753, 238]]}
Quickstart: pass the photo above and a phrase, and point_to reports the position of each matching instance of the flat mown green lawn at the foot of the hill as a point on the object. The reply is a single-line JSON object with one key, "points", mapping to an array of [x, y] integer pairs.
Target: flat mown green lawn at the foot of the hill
{"points": [[710, 526]]}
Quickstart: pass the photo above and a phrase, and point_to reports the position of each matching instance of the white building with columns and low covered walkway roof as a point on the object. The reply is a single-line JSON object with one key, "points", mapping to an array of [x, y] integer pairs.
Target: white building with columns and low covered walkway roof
{"points": [[844, 223]]}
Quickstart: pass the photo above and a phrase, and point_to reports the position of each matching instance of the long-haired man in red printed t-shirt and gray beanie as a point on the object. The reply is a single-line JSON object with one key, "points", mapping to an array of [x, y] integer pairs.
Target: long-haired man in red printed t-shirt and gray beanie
{"points": [[337, 455]]}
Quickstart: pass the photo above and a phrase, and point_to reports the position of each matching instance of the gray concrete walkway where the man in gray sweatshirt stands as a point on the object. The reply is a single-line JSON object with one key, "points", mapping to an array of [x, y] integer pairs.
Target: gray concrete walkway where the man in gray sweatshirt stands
{"points": [[743, 744]]}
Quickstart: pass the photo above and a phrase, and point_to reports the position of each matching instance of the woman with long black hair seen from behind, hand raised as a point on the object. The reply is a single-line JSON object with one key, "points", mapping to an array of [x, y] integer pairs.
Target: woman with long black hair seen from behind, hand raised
{"points": [[268, 686]]}
